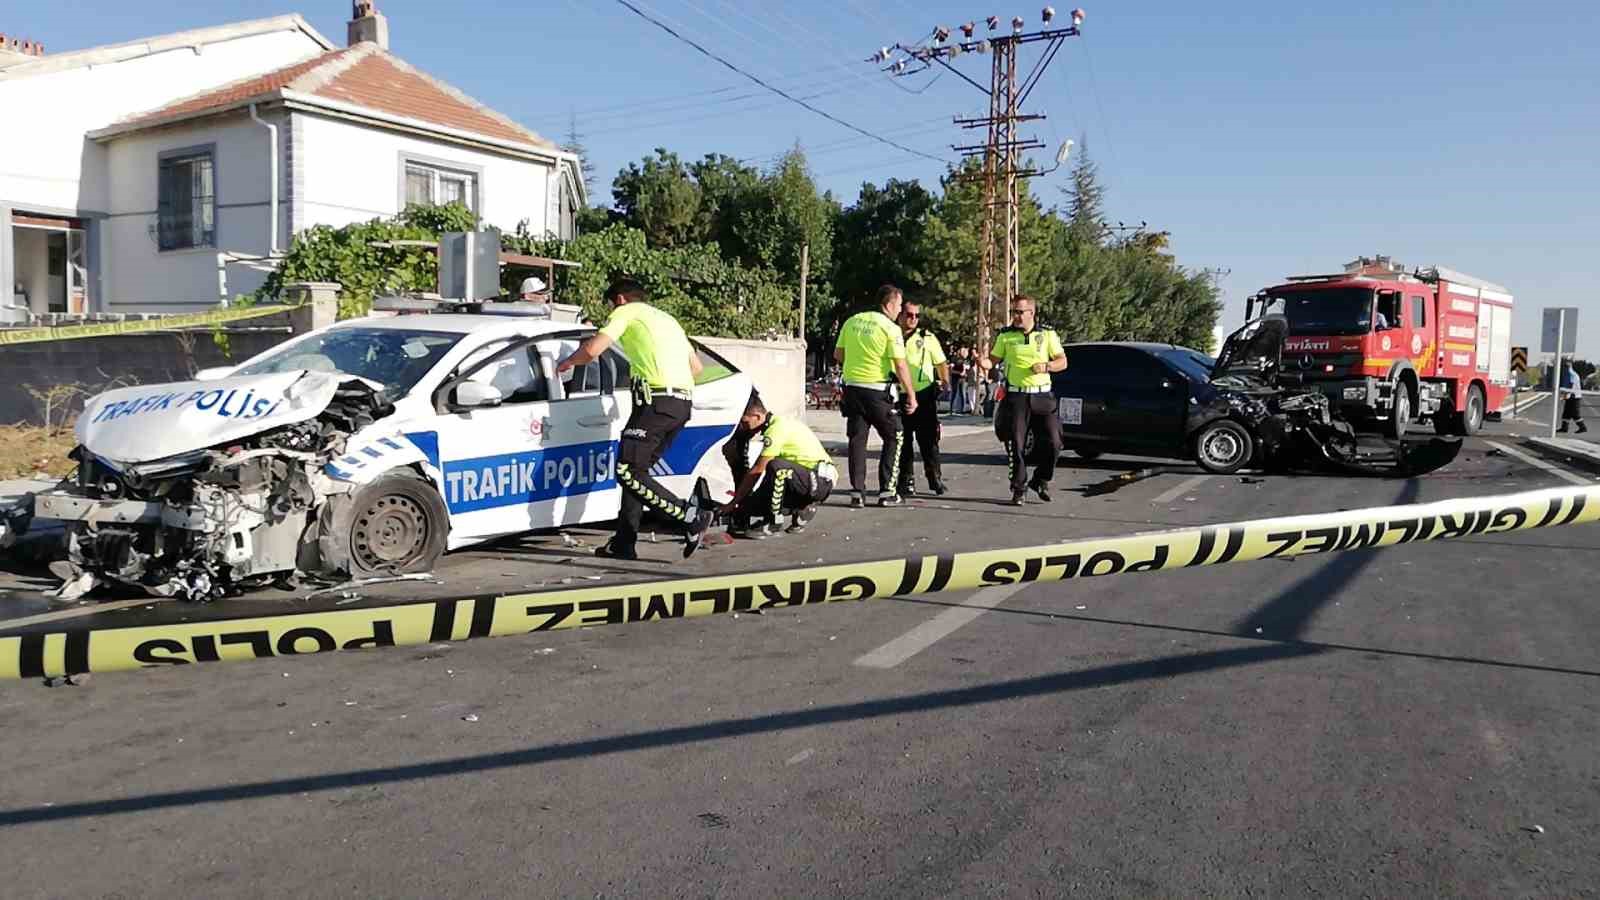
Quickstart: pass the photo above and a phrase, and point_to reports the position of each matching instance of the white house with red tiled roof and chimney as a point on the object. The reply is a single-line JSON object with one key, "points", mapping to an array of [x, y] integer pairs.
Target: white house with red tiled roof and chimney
{"points": [[166, 175]]}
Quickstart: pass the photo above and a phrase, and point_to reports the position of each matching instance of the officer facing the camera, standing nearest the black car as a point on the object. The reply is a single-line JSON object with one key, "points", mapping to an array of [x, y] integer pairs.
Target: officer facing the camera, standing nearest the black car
{"points": [[1030, 355]]}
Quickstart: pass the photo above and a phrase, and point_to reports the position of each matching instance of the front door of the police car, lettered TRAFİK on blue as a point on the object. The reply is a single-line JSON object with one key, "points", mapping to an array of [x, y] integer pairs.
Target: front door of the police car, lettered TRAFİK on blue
{"points": [[503, 473]]}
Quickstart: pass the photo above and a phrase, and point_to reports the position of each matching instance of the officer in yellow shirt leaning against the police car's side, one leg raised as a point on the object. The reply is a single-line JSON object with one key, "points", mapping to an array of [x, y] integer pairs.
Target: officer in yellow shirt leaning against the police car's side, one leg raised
{"points": [[665, 368]]}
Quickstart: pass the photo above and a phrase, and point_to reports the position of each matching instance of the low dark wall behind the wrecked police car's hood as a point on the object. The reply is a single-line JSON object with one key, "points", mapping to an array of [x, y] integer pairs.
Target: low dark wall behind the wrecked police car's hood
{"points": [[137, 360]]}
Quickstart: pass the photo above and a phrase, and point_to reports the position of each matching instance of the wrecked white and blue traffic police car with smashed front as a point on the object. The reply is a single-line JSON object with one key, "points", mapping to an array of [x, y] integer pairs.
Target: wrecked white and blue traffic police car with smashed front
{"points": [[364, 449]]}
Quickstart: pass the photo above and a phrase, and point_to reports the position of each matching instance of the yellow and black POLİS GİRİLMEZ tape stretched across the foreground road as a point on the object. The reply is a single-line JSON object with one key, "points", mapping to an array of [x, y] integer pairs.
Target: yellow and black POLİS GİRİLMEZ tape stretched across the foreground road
{"points": [[460, 619]]}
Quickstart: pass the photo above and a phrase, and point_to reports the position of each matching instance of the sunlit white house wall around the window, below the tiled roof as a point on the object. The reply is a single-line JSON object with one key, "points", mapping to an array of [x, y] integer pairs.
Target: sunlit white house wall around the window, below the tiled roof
{"points": [[350, 174]]}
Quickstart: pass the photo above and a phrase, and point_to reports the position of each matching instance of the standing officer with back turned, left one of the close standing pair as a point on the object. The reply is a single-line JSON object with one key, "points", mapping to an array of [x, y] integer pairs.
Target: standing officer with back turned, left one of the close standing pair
{"points": [[873, 353]]}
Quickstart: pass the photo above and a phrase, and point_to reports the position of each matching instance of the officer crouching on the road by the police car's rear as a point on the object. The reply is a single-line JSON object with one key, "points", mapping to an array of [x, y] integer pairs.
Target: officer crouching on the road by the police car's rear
{"points": [[793, 475]]}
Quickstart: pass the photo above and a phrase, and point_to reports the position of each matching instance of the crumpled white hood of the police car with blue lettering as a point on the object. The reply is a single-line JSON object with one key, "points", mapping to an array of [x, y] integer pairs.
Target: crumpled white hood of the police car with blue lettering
{"points": [[154, 422]]}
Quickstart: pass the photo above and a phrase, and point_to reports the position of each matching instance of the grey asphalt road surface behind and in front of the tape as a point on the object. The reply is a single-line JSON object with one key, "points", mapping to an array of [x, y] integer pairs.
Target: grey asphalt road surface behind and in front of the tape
{"points": [[1412, 721]]}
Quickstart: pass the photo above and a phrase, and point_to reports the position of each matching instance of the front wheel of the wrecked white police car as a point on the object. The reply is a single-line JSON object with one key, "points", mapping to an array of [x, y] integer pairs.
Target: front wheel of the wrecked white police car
{"points": [[394, 526]]}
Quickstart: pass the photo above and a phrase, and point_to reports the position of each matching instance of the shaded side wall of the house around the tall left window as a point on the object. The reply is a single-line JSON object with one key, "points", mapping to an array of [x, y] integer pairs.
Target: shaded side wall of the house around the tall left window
{"points": [[135, 271]]}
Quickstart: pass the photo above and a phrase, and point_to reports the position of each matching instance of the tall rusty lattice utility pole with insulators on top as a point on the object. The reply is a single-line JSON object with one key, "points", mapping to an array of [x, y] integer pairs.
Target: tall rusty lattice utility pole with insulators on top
{"points": [[999, 265]]}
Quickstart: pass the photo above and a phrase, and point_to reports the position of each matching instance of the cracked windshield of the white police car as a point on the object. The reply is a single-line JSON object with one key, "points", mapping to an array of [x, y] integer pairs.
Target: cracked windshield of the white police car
{"points": [[393, 358]]}
